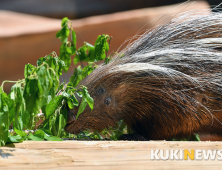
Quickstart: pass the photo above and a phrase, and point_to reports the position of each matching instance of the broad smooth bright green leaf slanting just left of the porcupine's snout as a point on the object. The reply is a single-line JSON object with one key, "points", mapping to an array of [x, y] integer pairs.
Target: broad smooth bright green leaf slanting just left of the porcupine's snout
{"points": [[53, 105]]}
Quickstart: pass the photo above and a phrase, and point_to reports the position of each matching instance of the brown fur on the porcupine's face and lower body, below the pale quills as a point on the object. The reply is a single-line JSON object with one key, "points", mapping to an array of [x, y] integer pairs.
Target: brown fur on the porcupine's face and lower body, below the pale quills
{"points": [[145, 106]]}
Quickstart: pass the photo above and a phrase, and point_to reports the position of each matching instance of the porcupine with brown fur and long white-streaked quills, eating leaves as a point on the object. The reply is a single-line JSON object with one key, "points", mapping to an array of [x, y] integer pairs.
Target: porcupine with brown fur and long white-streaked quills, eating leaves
{"points": [[167, 84]]}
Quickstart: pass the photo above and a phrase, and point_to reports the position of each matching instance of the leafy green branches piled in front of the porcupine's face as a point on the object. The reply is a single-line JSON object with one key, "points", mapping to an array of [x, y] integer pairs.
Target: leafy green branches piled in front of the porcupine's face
{"points": [[41, 90]]}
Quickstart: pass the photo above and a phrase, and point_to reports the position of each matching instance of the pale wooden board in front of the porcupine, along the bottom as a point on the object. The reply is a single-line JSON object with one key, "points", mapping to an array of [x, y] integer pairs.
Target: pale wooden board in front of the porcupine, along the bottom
{"points": [[100, 155]]}
